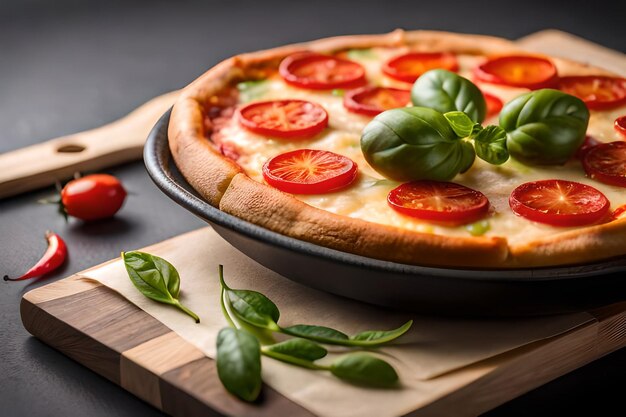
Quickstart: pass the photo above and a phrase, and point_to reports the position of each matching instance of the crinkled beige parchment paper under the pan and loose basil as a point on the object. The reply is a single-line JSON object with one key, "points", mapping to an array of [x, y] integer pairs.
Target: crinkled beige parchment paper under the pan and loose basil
{"points": [[433, 347]]}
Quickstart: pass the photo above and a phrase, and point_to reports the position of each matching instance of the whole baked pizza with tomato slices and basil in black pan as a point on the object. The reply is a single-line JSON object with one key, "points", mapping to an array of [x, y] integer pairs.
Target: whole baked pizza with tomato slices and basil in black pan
{"points": [[423, 148]]}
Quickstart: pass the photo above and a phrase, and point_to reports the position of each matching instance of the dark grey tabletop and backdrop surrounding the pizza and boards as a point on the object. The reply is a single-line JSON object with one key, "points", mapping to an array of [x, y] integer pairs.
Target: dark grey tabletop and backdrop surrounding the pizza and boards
{"points": [[67, 66]]}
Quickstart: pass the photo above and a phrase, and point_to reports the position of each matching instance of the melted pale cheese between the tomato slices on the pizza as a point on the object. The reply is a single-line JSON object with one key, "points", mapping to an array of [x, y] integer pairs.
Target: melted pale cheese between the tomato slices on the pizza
{"points": [[367, 198]]}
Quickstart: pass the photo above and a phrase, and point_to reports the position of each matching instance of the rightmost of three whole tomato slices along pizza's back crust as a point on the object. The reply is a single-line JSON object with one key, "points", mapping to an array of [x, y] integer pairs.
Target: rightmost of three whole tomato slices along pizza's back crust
{"points": [[523, 71]]}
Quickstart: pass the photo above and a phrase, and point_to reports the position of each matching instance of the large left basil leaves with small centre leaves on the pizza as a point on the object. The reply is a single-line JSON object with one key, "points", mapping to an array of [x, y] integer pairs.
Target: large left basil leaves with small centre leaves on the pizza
{"points": [[418, 143]]}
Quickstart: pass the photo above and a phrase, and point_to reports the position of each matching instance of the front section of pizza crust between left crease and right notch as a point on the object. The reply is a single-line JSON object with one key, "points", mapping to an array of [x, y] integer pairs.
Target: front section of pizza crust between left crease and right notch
{"points": [[289, 216]]}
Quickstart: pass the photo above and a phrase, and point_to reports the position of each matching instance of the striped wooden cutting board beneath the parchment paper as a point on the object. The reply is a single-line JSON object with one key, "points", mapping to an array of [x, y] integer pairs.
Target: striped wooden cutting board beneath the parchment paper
{"points": [[102, 330]]}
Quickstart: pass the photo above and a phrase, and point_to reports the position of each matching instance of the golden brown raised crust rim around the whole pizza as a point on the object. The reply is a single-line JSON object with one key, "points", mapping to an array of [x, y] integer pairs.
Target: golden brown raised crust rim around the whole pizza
{"points": [[224, 185]]}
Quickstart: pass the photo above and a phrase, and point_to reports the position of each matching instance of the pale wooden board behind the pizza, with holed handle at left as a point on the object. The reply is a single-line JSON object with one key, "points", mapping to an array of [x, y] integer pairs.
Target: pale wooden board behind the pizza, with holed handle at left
{"points": [[122, 141]]}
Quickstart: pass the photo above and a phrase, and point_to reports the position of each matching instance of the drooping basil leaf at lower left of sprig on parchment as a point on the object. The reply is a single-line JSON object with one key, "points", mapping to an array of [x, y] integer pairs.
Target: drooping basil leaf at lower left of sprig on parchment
{"points": [[239, 363]]}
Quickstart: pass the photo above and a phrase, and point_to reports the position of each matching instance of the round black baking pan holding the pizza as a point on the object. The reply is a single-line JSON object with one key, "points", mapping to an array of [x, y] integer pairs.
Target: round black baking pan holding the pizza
{"points": [[405, 287]]}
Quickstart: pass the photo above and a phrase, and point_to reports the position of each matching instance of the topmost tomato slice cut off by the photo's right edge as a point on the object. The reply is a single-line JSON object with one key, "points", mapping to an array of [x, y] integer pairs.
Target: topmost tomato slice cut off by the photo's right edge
{"points": [[597, 91]]}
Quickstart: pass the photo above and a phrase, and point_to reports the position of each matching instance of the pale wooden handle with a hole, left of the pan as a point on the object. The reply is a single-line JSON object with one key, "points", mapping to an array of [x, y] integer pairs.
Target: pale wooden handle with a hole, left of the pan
{"points": [[58, 159]]}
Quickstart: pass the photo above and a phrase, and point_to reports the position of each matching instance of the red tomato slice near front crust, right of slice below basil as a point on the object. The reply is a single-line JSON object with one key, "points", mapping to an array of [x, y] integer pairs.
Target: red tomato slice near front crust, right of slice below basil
{"points": [[559, 203]]}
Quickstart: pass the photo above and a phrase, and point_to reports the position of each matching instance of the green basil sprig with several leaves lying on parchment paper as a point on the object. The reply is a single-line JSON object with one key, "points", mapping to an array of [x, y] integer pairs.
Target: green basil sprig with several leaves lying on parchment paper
{"points": [[256, 310]]}
